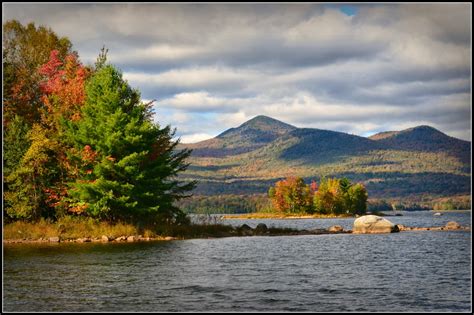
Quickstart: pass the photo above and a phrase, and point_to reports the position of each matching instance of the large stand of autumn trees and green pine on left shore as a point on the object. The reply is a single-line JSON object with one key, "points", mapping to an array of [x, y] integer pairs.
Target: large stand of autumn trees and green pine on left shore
{"points": [[78, 140]]}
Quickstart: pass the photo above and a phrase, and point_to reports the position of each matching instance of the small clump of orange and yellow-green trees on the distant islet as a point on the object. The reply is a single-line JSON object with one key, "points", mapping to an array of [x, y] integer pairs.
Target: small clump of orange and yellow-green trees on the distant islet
{"points": [[331, 196]]}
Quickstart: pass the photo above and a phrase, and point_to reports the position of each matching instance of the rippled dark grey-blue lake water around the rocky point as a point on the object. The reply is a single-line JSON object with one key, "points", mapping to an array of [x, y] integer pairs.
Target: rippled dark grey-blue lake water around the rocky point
{"points": [[408, 271]]}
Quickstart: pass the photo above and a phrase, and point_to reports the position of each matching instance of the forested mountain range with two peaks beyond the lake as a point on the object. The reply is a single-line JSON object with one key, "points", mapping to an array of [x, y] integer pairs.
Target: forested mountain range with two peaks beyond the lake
{"points": [[417, 162]]}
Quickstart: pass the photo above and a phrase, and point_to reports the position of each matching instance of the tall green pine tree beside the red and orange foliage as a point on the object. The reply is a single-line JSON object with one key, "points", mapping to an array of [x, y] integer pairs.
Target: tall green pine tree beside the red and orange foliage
{"points": [[126, 165]]}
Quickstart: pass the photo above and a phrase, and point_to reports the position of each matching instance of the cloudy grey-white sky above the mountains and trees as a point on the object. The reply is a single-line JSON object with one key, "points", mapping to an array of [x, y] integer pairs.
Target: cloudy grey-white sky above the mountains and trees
{"points": [[355, 68]]}
